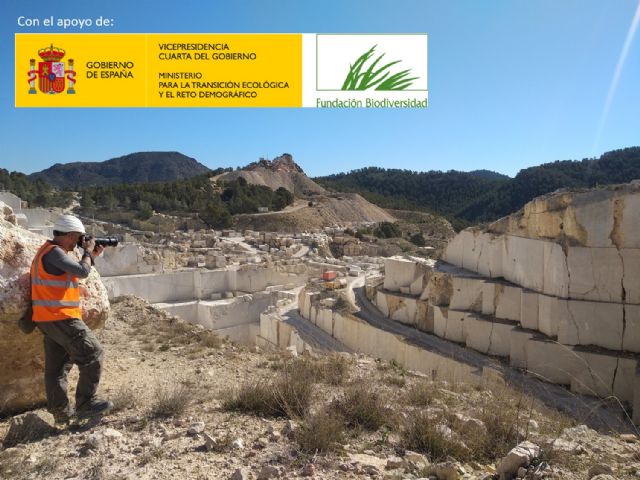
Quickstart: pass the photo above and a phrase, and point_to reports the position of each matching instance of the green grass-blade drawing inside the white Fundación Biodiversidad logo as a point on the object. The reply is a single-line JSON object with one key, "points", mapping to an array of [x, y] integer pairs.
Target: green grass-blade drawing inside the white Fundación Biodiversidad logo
{"points": [[381, 79]]}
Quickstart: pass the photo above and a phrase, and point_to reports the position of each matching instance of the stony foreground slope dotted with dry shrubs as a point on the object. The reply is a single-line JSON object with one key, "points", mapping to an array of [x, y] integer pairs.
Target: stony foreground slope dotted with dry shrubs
{"points": [[192, 406]]}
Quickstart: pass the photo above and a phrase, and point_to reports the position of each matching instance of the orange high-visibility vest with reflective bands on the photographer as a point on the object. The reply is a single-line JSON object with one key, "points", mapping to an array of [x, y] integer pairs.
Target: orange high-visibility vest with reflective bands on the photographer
{"points": [[54, 297]]}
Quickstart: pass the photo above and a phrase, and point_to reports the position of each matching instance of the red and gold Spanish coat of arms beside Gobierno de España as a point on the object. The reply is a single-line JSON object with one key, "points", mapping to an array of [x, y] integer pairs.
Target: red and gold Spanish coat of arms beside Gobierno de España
{"points": [[51, 73]]}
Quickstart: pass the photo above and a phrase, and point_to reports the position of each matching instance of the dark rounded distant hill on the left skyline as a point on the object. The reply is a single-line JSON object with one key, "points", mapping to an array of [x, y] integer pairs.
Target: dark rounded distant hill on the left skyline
{"points": [[138, 167]]}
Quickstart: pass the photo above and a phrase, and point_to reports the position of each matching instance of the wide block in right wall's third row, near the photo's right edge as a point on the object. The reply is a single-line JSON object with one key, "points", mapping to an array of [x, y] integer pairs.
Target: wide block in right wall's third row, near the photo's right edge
{"points": [[592, 323]]}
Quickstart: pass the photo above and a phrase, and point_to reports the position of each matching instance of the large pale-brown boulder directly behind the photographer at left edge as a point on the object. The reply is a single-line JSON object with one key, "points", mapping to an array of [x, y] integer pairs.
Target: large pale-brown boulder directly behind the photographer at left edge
{"points": [[22, 356]]}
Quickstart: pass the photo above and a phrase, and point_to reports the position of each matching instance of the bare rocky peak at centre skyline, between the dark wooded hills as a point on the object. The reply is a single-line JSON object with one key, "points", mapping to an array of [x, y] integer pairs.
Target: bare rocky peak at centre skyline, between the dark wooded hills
{"points": [[280, 172]]}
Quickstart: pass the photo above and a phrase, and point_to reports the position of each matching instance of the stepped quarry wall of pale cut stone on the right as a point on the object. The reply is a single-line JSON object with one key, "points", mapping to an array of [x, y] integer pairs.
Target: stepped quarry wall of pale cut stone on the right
{"points": [[553, 288]]}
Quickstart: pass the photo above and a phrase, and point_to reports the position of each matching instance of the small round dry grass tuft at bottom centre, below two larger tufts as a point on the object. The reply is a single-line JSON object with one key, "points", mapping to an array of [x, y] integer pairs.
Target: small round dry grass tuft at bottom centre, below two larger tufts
{"points": [[320, 432]]}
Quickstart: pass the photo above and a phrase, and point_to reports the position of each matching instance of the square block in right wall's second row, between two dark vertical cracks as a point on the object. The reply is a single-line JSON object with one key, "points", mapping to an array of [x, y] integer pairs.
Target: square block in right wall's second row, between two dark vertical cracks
{"points": [[595, 274]]}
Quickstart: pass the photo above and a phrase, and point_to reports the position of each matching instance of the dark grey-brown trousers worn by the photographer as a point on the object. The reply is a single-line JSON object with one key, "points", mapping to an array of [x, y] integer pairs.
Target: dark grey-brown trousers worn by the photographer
{"points": [[69, 342]]}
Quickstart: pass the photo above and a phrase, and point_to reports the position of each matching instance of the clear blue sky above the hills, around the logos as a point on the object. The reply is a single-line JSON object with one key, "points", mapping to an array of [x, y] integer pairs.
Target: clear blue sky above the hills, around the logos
{"points": [[512, 84]]}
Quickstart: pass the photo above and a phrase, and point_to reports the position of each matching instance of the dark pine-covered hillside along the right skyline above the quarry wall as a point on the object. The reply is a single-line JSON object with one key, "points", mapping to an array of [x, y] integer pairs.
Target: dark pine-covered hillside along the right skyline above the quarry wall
{"points": [[473, 197]]}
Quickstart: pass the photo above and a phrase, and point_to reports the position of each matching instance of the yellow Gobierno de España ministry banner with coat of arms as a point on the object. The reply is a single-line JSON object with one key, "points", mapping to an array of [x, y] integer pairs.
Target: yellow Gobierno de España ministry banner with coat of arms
{"points": [[158, 70]]}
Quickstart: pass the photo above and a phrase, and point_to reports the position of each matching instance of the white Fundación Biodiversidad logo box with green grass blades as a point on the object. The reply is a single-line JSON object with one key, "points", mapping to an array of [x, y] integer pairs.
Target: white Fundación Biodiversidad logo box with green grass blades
{"points": [[371, 70]]}
